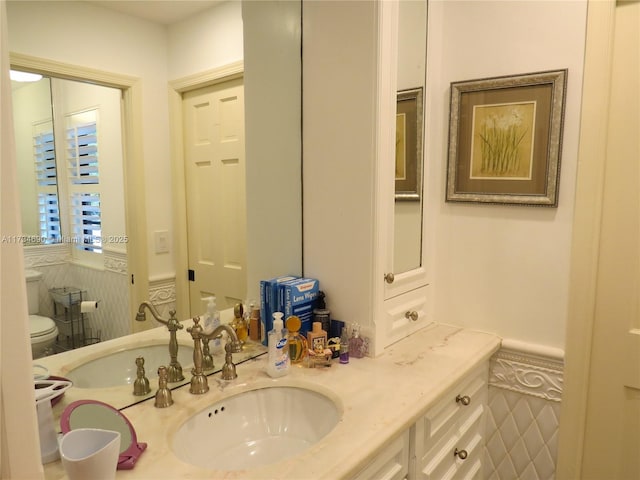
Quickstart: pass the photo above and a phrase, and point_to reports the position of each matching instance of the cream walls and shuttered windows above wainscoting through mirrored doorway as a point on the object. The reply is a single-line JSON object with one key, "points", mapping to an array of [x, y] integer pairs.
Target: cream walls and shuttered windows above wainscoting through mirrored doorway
{"points": [[66, 156]]}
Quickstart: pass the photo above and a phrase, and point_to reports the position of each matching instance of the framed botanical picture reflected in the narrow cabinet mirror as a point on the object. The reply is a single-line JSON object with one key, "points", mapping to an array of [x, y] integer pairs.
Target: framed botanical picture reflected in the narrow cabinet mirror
{"points": [[409, 144]]}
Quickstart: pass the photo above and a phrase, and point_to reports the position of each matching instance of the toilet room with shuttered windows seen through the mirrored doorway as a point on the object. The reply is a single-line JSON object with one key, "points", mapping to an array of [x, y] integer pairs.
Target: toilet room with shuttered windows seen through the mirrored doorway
{"points": [[70, 176]]}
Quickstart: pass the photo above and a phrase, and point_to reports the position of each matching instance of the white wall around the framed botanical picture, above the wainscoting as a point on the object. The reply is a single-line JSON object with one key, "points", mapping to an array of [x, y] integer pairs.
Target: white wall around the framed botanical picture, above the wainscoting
{"points": [[502, 269]]}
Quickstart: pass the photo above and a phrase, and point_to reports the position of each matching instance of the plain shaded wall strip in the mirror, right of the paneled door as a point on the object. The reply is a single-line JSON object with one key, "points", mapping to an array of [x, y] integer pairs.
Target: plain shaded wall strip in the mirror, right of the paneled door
{"points": [[272, 37]]}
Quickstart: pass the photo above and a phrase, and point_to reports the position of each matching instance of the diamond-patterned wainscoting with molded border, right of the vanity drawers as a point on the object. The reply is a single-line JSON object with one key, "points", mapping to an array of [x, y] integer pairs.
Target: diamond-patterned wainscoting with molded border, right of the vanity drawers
{"points": [[525, 390]]}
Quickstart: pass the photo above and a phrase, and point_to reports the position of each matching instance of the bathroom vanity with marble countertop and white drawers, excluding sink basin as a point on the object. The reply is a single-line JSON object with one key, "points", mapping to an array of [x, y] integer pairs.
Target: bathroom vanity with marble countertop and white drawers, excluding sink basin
{"points": [[415, 411]]}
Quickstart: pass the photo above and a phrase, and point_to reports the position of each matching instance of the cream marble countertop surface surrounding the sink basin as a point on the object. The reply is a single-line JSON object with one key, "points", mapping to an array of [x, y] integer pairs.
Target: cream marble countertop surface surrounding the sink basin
{"points": [[380, 399]]}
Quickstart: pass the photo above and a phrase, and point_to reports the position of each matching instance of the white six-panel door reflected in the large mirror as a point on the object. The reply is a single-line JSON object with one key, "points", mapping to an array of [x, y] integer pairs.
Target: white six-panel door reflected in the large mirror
{"points": [[216, 198]]}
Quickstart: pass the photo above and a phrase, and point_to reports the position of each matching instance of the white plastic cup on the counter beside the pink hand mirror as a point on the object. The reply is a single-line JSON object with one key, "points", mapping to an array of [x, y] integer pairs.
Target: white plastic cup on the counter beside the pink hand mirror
{"points": [[90, 453]]}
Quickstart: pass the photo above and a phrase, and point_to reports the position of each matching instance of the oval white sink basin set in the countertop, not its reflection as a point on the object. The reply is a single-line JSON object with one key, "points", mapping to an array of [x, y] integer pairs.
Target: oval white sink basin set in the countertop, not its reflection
{"points": [[255, 428]]}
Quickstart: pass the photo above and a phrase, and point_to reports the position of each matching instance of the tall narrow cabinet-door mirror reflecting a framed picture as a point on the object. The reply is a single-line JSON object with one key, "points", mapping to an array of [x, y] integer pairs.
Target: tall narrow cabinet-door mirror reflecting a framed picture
{"points": [[412, 45]]}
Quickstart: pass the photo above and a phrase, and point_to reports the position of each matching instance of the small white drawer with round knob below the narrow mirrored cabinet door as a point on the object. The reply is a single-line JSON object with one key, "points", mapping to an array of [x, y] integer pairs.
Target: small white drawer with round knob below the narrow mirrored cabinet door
{"points": [[405, 314]]}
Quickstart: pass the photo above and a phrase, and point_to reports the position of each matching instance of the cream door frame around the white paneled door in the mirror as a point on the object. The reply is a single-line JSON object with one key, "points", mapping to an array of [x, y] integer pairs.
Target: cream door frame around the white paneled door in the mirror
{"points": [[177, 88]]}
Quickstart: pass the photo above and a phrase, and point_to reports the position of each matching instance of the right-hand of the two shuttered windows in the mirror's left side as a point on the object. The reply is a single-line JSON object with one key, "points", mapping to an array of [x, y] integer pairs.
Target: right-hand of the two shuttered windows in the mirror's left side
{"points": [[84, 180]]}
